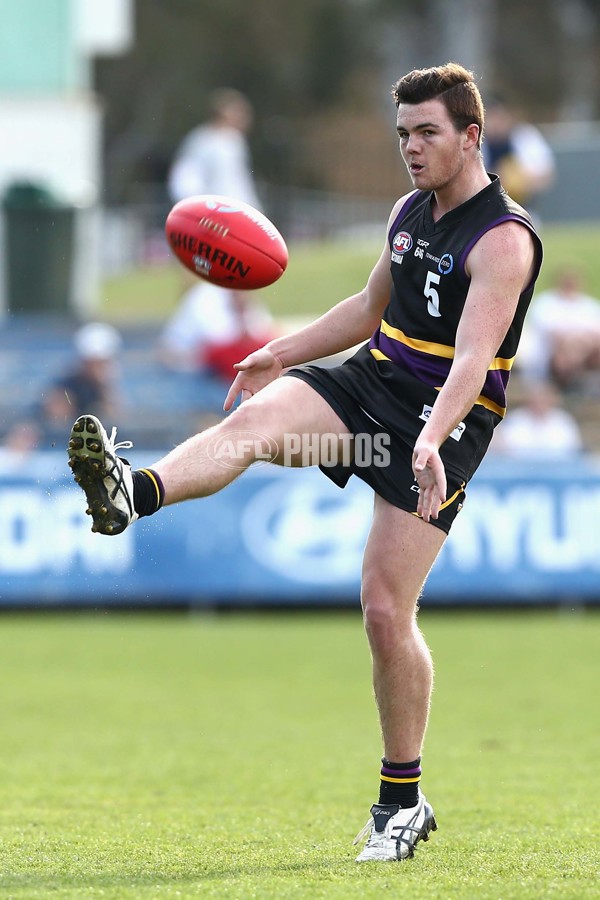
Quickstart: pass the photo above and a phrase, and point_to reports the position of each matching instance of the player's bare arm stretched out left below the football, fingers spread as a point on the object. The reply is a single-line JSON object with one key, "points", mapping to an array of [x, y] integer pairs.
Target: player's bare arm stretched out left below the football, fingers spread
{"points": [[346, 324]]}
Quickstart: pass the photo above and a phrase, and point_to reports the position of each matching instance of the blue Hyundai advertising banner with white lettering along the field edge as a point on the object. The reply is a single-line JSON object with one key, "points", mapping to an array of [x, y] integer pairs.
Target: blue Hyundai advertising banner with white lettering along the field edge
{"points": [[276, 536]]}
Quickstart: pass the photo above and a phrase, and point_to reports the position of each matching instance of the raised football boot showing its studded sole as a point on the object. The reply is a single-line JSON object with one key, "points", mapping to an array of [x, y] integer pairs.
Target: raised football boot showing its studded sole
{"points": [[105, 477]]}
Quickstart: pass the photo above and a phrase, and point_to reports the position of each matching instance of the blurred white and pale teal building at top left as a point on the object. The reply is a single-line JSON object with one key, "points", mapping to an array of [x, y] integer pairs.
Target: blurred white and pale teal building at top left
{"points": [[51, 120]]}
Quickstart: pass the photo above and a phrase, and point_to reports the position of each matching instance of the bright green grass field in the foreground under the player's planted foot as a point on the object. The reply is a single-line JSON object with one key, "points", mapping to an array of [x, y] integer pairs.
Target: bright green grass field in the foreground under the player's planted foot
{"points": [[236, 756]]}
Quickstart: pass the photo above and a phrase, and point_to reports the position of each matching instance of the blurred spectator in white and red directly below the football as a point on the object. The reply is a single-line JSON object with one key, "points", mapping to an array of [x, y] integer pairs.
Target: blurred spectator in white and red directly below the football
{"points": [[213, 328]]}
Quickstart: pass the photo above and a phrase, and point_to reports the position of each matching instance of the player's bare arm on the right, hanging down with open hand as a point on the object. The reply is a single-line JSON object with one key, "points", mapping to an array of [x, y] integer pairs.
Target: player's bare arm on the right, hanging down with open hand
{"points": [[500, 265]]}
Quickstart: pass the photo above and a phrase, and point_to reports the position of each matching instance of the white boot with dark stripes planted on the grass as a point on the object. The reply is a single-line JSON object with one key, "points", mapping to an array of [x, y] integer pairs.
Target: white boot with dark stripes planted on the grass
{"points": [[393, 832]]}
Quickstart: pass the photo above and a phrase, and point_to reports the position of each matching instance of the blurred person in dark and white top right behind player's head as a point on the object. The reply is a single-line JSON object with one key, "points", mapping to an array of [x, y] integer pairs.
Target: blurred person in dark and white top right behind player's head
{"points": [[518, 152]]}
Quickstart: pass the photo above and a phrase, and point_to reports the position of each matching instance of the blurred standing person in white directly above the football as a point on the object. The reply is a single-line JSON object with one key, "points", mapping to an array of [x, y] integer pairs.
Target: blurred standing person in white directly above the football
{"points": [[214, 158]]}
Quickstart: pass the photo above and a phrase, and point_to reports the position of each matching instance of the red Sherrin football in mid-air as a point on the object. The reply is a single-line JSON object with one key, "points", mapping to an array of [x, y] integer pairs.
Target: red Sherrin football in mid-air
{"points": [[226, 241]]}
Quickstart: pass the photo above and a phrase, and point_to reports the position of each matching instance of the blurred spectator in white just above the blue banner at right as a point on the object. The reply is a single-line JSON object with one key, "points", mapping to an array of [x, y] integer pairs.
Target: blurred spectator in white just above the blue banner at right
{"points": [[539, 429]]}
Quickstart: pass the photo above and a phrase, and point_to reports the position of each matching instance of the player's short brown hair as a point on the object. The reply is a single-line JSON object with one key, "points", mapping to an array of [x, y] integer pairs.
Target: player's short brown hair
{"points": [[453, 85]]}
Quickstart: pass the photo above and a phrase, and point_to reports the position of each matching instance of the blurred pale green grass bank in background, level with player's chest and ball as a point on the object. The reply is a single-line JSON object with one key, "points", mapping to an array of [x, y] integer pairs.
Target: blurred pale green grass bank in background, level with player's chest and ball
{"points": [[320, 274]]}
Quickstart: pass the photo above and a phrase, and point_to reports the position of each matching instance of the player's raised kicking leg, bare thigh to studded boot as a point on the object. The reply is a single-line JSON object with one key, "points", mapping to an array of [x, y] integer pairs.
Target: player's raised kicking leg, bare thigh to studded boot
{"points": [[204, 464]]}
